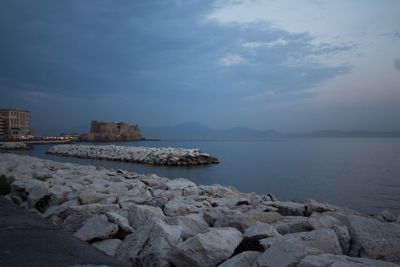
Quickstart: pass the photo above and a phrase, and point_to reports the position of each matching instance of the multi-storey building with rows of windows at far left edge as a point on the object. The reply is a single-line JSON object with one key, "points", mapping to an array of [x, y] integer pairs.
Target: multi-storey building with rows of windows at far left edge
{"points": [[14, 123]]}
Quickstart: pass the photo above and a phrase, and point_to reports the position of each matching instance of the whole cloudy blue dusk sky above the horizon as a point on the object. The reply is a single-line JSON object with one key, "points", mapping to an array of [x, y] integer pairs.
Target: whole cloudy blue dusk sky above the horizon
{"points": [[286, 65]]}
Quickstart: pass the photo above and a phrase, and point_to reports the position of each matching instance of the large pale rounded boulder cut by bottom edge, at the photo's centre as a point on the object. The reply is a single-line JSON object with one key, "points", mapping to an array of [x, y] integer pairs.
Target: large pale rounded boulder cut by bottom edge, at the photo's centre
{"points": [[207, 249]]}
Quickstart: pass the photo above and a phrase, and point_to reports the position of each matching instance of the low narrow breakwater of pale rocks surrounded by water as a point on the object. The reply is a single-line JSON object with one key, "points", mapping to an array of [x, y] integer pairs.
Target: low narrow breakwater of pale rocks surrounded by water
{"points": [[148, 155]]}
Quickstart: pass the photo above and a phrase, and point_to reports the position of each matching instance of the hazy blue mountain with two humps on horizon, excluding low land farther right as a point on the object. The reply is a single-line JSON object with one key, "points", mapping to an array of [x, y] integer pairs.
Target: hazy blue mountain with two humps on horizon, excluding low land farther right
{"points": [[198, 131]]}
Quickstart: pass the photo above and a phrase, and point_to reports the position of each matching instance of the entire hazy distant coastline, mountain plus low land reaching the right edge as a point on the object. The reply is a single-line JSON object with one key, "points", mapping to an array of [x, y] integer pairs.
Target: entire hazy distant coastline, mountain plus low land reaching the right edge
{"points": [[198, 131]]}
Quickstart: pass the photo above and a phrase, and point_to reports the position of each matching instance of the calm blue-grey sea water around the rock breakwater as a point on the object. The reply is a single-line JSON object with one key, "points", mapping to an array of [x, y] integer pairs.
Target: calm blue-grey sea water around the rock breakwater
{"points": [[360, 173]]}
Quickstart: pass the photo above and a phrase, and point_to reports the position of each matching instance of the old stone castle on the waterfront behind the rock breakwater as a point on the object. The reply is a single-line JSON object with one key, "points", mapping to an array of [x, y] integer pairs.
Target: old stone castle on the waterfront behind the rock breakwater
{"points": [[112, 131]]}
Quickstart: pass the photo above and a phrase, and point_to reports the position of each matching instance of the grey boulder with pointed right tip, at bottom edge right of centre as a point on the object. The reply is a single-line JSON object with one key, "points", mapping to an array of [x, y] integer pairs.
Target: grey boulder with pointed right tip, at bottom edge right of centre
{"points": [[283, 253]]}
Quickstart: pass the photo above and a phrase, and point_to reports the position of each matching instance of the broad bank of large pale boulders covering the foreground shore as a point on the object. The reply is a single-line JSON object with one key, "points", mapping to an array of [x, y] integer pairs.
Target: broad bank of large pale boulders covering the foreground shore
{"points": [[148, 220]]}
